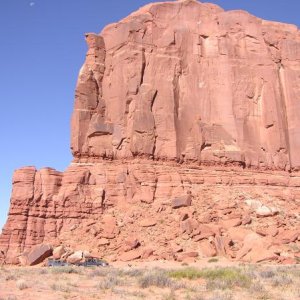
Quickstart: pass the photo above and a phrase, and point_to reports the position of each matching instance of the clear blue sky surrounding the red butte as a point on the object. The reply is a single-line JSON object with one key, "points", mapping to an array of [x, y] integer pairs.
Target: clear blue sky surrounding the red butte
{"points": [[42, 49]]}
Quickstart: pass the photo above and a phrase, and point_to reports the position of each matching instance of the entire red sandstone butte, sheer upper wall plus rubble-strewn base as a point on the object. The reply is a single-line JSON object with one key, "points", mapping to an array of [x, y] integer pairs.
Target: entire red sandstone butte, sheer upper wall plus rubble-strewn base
{"points": [[180, 100]]}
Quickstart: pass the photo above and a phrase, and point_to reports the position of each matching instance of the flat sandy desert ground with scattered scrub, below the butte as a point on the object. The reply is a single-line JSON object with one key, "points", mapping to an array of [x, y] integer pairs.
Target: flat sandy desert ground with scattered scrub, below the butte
{"points": [[212, 279]]}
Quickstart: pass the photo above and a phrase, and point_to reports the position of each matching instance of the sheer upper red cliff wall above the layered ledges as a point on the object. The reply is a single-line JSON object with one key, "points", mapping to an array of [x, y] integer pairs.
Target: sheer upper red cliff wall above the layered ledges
{"points": [[188, 81]]}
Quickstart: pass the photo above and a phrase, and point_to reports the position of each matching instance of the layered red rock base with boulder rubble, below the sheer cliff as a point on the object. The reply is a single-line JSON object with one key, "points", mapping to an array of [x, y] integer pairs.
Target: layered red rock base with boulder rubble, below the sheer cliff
{"points": [[100, 206]]}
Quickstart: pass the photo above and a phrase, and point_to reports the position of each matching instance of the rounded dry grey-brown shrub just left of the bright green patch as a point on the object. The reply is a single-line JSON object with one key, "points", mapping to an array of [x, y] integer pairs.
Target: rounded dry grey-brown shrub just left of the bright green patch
{"points": [[156, 278]]}
